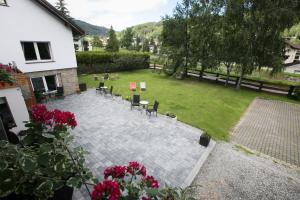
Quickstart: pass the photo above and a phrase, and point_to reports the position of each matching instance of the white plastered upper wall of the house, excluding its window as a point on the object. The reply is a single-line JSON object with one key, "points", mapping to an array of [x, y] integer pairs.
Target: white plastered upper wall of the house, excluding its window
{"points": [[25, 20]]}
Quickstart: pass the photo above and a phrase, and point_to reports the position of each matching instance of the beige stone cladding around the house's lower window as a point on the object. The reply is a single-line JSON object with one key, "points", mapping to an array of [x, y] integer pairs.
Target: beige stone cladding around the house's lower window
{"points": [[66, 77]]}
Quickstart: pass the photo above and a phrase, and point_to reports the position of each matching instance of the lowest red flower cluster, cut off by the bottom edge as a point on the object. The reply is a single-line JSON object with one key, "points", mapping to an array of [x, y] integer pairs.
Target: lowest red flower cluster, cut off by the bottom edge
{"points": [[106, 190]]}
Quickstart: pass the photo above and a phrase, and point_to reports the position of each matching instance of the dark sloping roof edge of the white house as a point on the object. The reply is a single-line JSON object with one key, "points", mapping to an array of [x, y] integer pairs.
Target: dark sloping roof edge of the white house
{"points": [[77, 31]]}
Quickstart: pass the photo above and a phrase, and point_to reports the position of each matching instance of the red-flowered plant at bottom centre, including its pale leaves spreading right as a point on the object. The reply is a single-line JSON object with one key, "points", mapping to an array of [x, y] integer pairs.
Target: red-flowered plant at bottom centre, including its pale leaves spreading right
{"points": [[131, 182]]}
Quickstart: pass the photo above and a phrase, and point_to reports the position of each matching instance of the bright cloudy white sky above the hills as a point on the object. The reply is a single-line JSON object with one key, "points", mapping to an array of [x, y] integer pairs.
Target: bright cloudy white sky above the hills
{"points": [[119, 13]]}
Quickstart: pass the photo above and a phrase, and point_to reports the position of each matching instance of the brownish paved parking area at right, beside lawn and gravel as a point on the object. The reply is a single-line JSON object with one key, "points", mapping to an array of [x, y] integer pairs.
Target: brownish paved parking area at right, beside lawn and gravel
{"points": [[273, 128]]}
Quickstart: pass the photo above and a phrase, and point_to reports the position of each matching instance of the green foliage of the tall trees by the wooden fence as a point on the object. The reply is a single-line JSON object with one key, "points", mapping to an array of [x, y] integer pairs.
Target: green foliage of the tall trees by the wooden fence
{"points": [[243, 33]]}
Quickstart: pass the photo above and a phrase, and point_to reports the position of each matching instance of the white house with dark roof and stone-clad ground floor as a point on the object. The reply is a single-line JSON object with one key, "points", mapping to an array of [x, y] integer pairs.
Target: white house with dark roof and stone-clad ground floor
{"points": [[39, 39]]}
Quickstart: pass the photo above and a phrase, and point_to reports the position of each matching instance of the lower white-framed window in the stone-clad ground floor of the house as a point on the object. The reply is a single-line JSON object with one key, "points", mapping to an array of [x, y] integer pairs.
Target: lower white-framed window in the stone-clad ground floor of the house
{"points": [[45, 83]]}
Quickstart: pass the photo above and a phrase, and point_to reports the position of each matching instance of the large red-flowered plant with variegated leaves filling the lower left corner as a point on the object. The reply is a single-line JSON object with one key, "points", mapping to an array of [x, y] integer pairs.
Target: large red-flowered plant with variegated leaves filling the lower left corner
{"points": [[43, 165]]}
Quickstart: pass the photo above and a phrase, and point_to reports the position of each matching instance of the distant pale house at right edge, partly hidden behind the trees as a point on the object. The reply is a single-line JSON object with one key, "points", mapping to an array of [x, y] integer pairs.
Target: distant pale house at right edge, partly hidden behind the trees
{"points": [[292, 53]]}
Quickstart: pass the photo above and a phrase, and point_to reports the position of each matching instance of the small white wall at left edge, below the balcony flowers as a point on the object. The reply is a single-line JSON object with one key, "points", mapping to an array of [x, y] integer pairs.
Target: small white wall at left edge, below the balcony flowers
{"points": [[17, 107]]}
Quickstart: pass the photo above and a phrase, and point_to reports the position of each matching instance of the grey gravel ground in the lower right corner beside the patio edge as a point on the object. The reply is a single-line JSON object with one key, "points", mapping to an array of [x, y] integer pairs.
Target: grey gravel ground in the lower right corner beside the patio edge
{"points": [[231, 173]]}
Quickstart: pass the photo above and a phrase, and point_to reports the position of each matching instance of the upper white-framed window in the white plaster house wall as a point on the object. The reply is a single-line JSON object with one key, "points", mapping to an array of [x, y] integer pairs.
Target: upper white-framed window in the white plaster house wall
{"points": [[37, 51]]}
